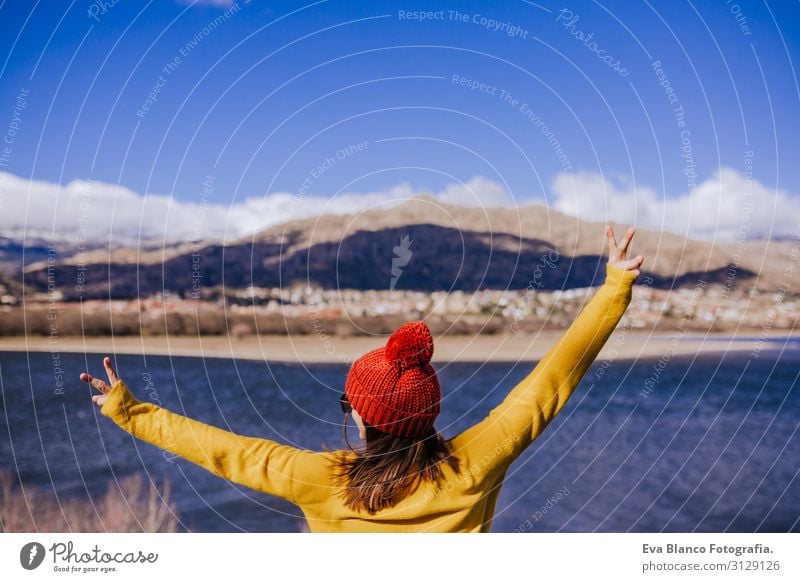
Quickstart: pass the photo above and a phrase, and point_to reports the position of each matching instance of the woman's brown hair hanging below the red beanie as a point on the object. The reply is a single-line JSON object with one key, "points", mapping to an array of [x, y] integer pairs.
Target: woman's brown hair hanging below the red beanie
{"points": [[389, 468]]}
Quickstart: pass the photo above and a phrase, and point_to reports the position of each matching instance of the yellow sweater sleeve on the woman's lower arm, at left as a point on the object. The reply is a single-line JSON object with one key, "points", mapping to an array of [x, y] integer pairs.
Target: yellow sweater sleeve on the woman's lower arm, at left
{"points": [[256, 463]]}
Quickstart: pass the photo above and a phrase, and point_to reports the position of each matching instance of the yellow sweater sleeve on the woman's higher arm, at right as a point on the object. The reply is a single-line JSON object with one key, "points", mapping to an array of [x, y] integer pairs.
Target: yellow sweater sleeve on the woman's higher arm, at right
{"points": [[537, 399]]}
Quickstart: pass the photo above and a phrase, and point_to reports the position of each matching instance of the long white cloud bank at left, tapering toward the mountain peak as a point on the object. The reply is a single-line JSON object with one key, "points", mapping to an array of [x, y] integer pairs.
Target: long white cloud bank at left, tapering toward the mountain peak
{"points": [[100, 211]]}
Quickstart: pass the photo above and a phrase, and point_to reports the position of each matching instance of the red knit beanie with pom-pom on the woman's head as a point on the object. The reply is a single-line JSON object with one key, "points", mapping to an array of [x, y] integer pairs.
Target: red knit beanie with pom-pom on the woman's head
{"points": [[395, 388]]}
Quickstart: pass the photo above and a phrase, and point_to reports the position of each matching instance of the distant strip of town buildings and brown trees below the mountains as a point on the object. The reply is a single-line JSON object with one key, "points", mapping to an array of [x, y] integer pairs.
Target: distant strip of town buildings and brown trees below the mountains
{"points": [[307, 310]]}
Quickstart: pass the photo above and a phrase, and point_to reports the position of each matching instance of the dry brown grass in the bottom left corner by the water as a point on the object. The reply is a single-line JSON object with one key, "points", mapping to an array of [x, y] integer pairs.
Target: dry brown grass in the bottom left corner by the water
{"points": [[130, 506]]}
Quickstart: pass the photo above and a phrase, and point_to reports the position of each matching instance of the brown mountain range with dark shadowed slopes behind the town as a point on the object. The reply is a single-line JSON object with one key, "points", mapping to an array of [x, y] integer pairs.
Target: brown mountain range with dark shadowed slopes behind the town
{"points": [[420, 244]]}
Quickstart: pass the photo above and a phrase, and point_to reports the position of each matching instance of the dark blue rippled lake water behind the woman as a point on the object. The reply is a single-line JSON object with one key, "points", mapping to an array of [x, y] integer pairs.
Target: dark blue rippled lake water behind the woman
{"points": [[713, 447]]}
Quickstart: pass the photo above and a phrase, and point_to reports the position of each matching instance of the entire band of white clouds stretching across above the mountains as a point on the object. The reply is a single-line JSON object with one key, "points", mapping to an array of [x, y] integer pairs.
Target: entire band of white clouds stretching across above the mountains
{"points": [[719, 208]]}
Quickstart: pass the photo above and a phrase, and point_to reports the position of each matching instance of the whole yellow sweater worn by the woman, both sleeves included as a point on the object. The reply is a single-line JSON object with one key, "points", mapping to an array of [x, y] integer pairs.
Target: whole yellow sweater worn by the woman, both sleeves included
{"points": [[464, 503]]}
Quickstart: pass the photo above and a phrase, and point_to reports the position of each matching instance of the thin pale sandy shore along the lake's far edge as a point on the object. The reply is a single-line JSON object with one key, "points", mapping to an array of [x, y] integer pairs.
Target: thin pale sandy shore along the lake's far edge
{"points": [[313, 349]]}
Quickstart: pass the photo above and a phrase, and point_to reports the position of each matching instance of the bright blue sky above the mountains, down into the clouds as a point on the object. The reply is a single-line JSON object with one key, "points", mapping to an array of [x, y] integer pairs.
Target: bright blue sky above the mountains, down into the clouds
{"points": [[258, 97]]}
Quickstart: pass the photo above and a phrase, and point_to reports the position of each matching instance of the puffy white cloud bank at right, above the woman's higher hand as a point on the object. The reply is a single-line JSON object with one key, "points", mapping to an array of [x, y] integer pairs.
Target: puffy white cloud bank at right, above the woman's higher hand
{"points": [[722, 208]]}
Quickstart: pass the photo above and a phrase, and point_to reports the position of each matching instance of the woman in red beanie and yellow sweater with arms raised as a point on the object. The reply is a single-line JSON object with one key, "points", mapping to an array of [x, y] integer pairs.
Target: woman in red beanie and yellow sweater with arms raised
{"points": [[407, 477]]}
